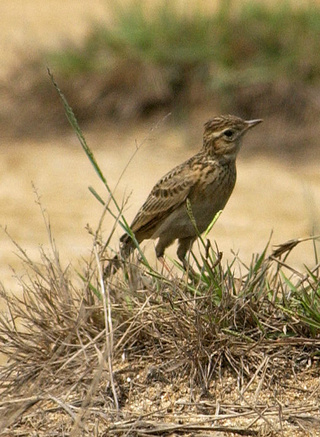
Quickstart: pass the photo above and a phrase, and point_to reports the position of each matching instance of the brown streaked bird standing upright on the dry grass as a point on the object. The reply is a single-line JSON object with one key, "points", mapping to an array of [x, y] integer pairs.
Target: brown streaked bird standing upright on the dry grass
{"points": [[203, 183]]}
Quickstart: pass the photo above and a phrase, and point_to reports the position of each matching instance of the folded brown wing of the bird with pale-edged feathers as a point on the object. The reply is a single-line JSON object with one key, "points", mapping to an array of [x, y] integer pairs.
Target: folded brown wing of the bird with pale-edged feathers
{"points": [[167, 195]]}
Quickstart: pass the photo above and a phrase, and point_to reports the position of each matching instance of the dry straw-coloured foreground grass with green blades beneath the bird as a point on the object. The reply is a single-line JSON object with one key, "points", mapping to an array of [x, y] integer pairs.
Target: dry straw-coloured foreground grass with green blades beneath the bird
{"points": [[89, 352]]}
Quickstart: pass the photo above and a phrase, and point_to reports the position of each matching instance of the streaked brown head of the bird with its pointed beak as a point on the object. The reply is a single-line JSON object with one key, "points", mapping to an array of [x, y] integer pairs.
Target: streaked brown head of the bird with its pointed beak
{"points": [[222, 135]]}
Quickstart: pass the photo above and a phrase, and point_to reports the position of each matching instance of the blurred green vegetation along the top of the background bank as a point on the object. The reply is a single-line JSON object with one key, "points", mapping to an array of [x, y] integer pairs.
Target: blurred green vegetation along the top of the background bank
{"points": [[241, 43]]}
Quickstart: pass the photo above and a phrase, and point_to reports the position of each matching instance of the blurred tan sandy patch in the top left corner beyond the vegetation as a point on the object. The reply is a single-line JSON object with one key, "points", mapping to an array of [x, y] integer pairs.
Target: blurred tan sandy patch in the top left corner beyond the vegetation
{"points": [[29, 26]]}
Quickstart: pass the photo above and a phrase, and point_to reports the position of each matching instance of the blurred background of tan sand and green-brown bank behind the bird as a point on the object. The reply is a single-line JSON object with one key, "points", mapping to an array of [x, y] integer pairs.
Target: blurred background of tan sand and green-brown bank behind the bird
{"points": [[146, 75]]}
